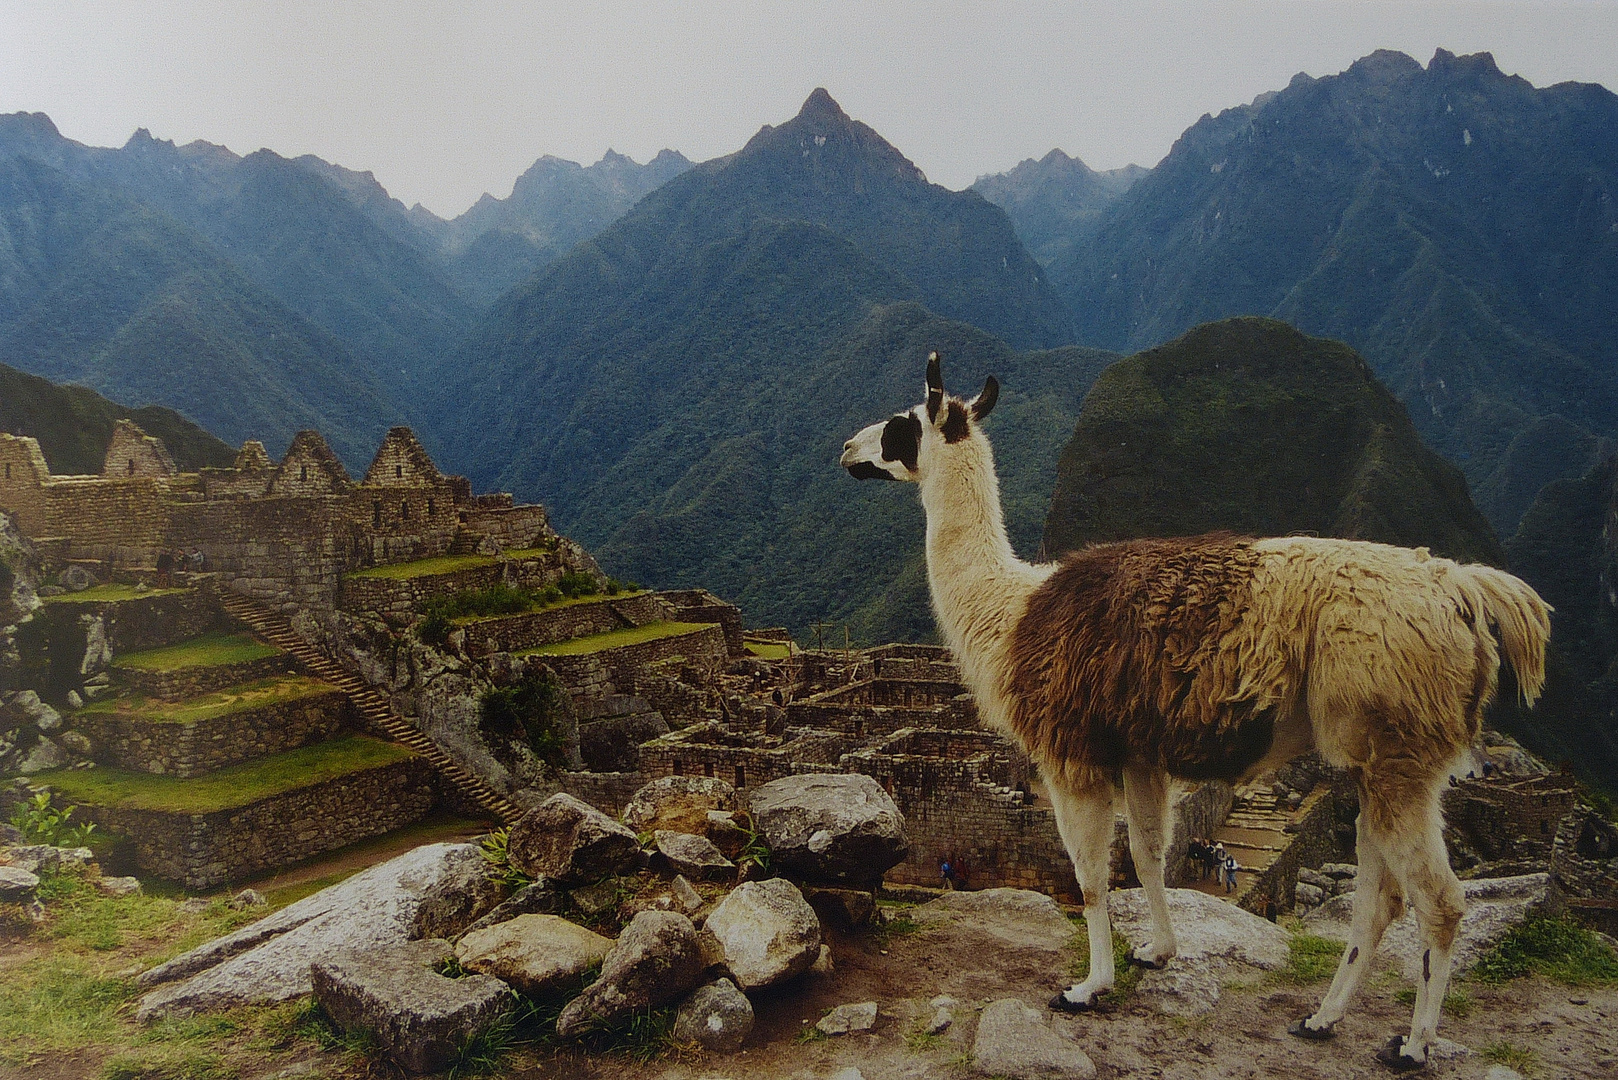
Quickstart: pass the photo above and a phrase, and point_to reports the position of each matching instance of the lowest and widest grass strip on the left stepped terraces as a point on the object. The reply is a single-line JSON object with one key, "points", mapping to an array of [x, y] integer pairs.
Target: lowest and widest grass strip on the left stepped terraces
{"points": [[226, 789]]}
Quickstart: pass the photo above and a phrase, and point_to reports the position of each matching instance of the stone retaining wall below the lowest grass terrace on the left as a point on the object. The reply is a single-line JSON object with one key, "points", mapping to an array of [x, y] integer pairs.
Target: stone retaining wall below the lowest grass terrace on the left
{"points": [[229, 846]]}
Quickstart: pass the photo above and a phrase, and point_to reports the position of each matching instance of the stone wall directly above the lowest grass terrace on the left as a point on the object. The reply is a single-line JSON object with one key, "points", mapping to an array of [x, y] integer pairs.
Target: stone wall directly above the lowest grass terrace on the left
{"points": [[197, 747]]}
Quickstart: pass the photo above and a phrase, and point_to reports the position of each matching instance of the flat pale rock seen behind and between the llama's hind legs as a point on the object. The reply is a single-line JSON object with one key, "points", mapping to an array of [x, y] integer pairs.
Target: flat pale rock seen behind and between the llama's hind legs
{"points": [[1494, 906]]}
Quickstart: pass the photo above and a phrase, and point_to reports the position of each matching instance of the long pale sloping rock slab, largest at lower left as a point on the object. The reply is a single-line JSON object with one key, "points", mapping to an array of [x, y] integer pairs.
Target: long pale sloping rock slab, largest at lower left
{"points": [[430, 893]]}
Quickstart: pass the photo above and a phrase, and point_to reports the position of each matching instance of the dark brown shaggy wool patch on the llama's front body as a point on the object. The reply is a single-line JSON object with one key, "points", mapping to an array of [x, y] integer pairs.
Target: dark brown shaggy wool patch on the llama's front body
{"points": [[1124, 653]]}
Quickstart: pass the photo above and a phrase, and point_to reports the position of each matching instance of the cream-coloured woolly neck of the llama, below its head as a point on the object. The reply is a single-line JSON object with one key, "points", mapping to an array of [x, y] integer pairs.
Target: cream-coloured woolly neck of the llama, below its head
{"points": [[980, 587]]}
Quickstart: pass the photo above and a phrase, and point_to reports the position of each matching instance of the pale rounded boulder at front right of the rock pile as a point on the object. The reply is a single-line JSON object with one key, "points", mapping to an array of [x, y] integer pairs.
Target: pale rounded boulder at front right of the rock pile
{"points": [[768, 933]]}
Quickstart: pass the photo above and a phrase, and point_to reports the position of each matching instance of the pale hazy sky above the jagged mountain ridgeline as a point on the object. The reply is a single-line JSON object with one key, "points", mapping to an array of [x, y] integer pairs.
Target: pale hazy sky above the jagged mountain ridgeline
{"points": [[447, 101]]}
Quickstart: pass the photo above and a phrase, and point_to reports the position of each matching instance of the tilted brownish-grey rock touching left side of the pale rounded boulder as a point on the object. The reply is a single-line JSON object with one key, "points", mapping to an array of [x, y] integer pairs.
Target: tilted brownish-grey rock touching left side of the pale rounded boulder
{"points": [[656, 961]]}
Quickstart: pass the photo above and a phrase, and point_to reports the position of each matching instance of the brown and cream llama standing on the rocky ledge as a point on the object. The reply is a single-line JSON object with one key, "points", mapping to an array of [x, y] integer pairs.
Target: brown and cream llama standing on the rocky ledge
{"points": [[1218, 657]]}
